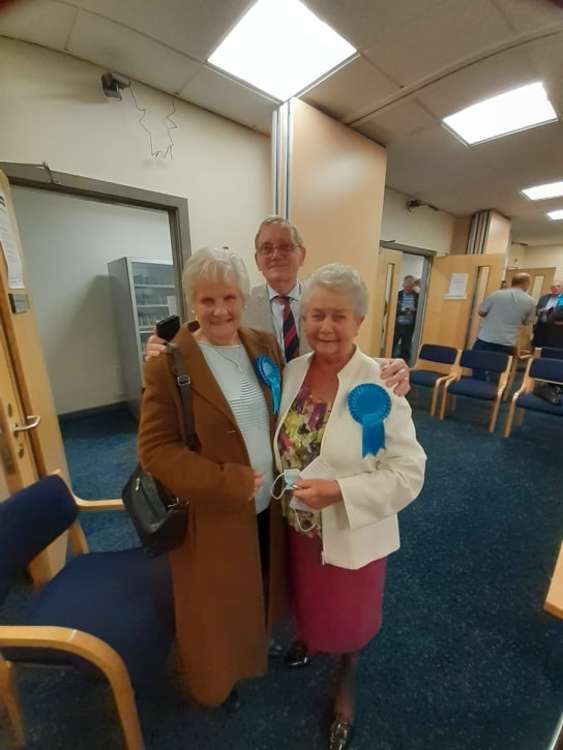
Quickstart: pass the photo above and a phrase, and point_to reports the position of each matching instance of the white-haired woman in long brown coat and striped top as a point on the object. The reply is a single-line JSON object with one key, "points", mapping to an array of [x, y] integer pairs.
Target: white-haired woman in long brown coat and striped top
{"points": [[229, 574]]}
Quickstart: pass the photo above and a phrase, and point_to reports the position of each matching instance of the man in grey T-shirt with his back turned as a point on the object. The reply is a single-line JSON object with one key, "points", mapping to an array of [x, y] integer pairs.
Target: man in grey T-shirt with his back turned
{"points": [[503, 313]]}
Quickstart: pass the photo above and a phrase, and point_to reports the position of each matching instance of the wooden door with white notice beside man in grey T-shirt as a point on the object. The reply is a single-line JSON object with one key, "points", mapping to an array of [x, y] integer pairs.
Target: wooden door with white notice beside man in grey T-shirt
{"points": [[451, 315]]}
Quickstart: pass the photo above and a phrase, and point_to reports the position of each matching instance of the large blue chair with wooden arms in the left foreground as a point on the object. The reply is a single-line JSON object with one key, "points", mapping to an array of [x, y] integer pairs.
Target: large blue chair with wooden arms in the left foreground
{"points": [[108, 612]]}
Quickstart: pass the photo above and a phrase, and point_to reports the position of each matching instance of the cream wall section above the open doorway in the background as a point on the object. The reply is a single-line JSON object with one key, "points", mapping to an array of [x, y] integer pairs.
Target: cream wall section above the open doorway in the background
{"points": [[421, 227]]}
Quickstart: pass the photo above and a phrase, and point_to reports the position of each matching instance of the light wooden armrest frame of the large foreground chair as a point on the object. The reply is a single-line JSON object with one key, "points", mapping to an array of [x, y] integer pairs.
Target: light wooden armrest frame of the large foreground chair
{"points": [[76, 642]]}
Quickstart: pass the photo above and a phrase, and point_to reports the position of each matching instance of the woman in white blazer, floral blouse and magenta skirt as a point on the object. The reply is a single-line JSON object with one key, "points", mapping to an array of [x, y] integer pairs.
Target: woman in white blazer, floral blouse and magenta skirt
{"points": [[353, 443]]}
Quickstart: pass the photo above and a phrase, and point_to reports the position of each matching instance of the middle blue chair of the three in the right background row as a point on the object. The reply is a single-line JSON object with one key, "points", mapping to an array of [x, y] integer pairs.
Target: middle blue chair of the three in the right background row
{"points": [[466, 385]]}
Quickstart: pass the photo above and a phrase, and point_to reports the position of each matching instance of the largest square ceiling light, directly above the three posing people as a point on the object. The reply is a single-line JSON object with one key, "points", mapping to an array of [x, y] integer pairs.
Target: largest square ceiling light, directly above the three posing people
{"points": [[280, 47]]}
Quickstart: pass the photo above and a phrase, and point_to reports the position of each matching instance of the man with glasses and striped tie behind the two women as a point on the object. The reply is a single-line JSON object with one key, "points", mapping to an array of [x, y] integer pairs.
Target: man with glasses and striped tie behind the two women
{"points": [[275, 305]]}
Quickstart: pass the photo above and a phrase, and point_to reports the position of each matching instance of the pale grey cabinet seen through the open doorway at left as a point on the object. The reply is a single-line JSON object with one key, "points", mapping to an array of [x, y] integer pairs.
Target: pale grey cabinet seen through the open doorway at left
{"points": [[143, 292]]}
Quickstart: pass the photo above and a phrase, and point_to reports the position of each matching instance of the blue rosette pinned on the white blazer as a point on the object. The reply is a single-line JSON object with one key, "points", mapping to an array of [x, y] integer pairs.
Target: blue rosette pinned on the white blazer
{"points": [[370, 405]]}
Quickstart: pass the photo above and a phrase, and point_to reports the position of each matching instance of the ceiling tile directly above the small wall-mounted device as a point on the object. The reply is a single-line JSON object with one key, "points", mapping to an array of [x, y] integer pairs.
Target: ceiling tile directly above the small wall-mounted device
{"points": [[119, 49]]}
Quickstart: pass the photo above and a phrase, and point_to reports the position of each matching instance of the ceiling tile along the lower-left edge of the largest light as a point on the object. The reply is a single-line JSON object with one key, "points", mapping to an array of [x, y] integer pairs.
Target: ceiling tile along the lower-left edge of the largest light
{"points": [[214, 91]]}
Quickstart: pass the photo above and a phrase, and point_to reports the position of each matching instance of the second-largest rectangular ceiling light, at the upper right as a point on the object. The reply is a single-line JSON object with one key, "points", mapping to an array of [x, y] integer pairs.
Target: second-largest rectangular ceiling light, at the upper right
{"points": [[519, 109]]}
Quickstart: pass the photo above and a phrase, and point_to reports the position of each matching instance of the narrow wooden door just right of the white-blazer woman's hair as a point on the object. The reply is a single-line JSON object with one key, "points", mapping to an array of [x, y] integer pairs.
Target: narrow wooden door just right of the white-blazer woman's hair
{"points": [[384, 299]]}
